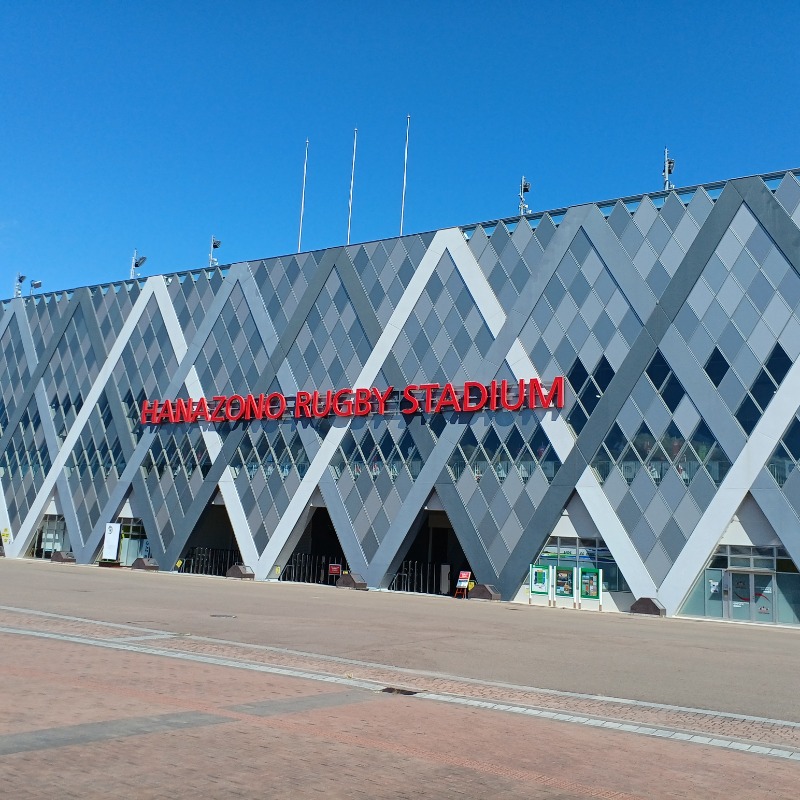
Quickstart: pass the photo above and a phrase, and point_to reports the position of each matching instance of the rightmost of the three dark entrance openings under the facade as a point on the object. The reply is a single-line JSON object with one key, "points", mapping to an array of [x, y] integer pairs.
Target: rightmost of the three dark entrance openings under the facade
{"points": [[433, 560]]}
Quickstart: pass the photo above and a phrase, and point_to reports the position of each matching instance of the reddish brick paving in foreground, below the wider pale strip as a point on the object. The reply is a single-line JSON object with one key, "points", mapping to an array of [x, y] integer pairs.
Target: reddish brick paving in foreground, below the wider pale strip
{"points": [[369, 745]]}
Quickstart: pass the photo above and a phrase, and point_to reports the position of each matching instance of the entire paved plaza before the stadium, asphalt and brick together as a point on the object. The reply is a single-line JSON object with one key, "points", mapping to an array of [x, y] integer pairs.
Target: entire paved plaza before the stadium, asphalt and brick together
{"points": [[135, 685]]}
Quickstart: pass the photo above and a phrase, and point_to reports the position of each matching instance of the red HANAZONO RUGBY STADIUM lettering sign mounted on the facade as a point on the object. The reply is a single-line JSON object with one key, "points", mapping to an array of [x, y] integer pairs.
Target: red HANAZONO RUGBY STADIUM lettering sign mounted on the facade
{"points": [[429, 397]]}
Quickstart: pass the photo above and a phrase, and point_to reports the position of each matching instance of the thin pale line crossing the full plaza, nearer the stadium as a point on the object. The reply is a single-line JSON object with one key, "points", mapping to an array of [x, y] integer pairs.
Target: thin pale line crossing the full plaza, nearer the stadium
{"points": [[422, 673]]}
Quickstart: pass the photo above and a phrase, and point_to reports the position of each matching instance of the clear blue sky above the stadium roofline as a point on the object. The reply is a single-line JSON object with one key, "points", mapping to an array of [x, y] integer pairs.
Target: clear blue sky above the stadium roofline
{"points": [[155, 124]]}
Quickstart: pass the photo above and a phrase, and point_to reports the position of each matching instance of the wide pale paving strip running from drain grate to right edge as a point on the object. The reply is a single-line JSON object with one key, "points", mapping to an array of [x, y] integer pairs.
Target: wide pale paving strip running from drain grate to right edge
{"points": [[644, 730]]}
